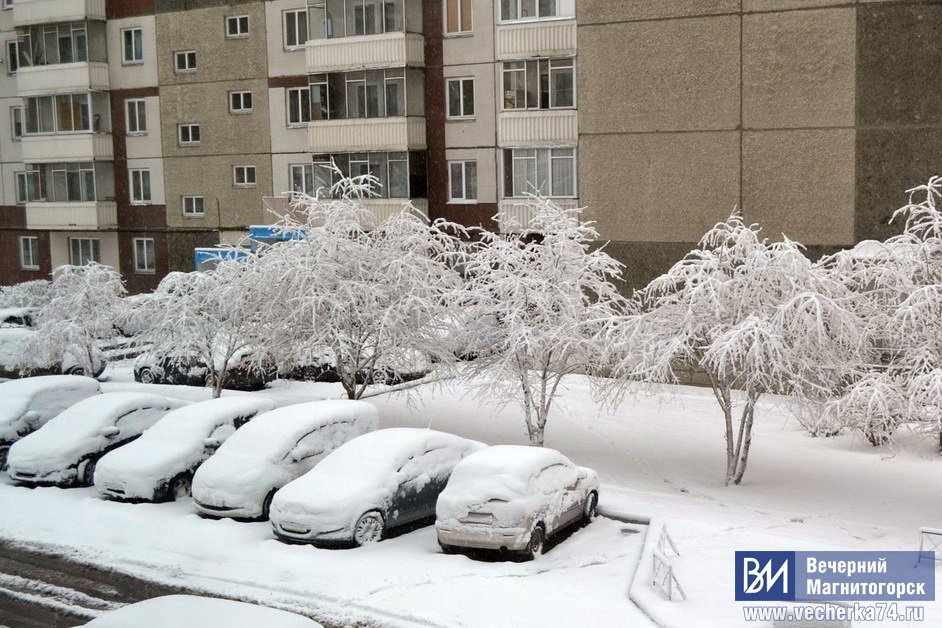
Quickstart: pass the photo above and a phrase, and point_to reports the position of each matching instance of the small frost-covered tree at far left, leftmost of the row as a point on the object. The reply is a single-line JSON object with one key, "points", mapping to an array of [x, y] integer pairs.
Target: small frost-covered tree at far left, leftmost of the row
{"points": [[83, 303]]}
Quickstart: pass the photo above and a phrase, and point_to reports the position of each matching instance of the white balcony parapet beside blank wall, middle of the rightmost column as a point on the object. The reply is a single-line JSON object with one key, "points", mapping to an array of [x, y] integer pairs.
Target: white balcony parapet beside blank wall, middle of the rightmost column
{"points": [[540, 127]]}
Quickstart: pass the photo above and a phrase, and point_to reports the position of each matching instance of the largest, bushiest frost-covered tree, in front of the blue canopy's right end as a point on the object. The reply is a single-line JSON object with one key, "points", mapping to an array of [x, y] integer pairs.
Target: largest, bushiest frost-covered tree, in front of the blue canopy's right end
{"points": [[374, 295]]}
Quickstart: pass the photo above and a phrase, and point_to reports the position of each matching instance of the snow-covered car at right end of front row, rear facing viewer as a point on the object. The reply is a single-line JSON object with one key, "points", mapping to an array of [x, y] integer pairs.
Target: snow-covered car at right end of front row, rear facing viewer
{"points": [[512, 498]]}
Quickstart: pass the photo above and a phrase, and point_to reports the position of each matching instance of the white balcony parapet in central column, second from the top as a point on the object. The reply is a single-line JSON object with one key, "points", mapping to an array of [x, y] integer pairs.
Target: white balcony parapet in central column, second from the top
{"points": [[367, 134]]}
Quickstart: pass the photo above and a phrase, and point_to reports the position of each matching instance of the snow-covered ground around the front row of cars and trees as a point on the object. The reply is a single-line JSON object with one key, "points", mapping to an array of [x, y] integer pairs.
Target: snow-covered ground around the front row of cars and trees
{"points": [[658, 455]]}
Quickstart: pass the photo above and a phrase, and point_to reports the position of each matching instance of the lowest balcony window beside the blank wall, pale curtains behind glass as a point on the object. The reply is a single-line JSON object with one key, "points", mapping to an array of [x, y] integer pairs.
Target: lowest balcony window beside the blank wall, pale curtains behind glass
{"points": [[550, 171]]}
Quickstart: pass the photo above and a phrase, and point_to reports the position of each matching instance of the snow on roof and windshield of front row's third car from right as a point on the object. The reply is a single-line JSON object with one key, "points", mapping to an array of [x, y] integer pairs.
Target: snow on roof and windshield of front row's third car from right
{"points": [[273, 434]]}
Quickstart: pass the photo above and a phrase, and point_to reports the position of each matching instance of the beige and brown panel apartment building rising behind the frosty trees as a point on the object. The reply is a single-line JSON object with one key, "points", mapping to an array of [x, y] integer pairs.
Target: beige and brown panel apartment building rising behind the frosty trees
{"points": [[135, 133]]}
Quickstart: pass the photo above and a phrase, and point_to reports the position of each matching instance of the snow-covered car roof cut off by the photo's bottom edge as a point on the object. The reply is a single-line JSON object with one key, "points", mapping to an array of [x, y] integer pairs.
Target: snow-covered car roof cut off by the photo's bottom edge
{"points": [[193, 611]]}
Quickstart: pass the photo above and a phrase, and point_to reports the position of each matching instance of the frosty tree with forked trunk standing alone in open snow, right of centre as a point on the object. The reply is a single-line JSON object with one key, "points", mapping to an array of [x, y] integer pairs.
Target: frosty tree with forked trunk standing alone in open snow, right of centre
{"points": [[755, 316]]}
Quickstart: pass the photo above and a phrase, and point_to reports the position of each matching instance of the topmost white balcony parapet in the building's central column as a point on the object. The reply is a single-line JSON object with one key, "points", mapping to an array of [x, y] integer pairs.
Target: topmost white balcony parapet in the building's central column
{"points": [[367, 52]]}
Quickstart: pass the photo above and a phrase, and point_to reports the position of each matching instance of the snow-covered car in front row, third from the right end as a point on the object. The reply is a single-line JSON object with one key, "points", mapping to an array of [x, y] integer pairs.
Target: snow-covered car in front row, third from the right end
{"points": [[241, 478]]}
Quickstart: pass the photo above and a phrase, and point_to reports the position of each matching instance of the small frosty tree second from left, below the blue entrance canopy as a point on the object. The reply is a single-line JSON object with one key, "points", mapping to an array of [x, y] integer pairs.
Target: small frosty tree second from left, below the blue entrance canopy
{"points": [[209, 315]]}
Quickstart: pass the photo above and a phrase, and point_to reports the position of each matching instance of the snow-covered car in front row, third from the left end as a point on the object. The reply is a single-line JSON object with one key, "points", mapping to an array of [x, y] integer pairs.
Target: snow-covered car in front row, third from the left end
{"points": [[159, 465]]}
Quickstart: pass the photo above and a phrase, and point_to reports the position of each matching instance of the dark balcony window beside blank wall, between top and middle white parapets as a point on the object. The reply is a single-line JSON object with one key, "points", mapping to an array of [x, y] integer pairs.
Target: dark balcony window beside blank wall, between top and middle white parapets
{"points": [[539, 84]]}
